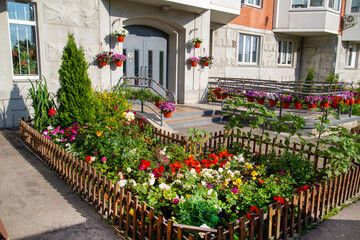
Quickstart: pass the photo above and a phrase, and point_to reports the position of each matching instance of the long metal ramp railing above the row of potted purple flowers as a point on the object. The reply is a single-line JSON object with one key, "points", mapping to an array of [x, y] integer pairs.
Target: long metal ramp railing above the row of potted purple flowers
{"points": [[281, 87]]}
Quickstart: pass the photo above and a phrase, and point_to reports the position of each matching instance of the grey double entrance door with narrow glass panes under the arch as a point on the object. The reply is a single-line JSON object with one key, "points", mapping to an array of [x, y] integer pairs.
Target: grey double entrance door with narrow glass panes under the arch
{"points": [[146, 51]]}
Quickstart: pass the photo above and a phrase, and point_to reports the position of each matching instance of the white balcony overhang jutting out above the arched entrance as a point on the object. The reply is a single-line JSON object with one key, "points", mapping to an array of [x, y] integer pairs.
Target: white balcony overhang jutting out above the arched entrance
{"points": [[222, 11]]}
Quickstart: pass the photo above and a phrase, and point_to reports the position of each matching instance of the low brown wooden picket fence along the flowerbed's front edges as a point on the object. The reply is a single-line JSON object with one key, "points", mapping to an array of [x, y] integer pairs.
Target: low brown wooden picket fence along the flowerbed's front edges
{"points": [[139, 221]]}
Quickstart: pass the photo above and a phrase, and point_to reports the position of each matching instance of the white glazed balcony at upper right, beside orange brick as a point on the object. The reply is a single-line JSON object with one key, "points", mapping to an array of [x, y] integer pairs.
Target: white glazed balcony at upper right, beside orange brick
{"points": [[307, 17]]}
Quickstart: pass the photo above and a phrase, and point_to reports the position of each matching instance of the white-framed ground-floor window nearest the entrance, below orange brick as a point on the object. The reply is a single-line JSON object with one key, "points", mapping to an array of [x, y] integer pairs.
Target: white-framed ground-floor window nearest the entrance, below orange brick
{"points": [[248, 49]]}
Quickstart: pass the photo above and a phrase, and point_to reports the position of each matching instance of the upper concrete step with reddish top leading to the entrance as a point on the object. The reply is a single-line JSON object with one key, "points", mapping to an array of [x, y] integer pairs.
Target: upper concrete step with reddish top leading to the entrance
{"points": [[194, 121]]}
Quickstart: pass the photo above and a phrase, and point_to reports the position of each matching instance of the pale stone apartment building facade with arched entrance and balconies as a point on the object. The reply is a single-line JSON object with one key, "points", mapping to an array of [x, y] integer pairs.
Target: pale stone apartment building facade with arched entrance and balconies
{"points": [[258, 39]]}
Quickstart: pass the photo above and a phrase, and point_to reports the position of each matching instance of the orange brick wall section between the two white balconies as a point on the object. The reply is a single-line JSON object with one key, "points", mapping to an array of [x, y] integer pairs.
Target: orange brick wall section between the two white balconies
{"points": [[256, 17]]}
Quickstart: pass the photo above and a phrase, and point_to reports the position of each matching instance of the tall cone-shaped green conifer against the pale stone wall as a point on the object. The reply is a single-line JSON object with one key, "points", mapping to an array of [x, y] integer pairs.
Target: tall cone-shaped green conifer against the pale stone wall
{"points": [[74, 94]]}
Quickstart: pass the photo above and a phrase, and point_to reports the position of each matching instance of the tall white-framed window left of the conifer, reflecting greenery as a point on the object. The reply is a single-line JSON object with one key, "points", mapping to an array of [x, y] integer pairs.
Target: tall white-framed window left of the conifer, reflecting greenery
{"points": [[22, 25]]}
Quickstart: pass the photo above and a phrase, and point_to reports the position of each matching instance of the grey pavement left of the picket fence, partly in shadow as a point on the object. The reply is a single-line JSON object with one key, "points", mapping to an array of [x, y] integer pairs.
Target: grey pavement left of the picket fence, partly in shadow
{"points": [[36, 204]]}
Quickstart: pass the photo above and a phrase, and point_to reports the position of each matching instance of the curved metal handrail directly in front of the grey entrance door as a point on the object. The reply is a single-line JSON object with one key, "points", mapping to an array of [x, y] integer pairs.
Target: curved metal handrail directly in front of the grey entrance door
{"points": [[149, 83]]}
